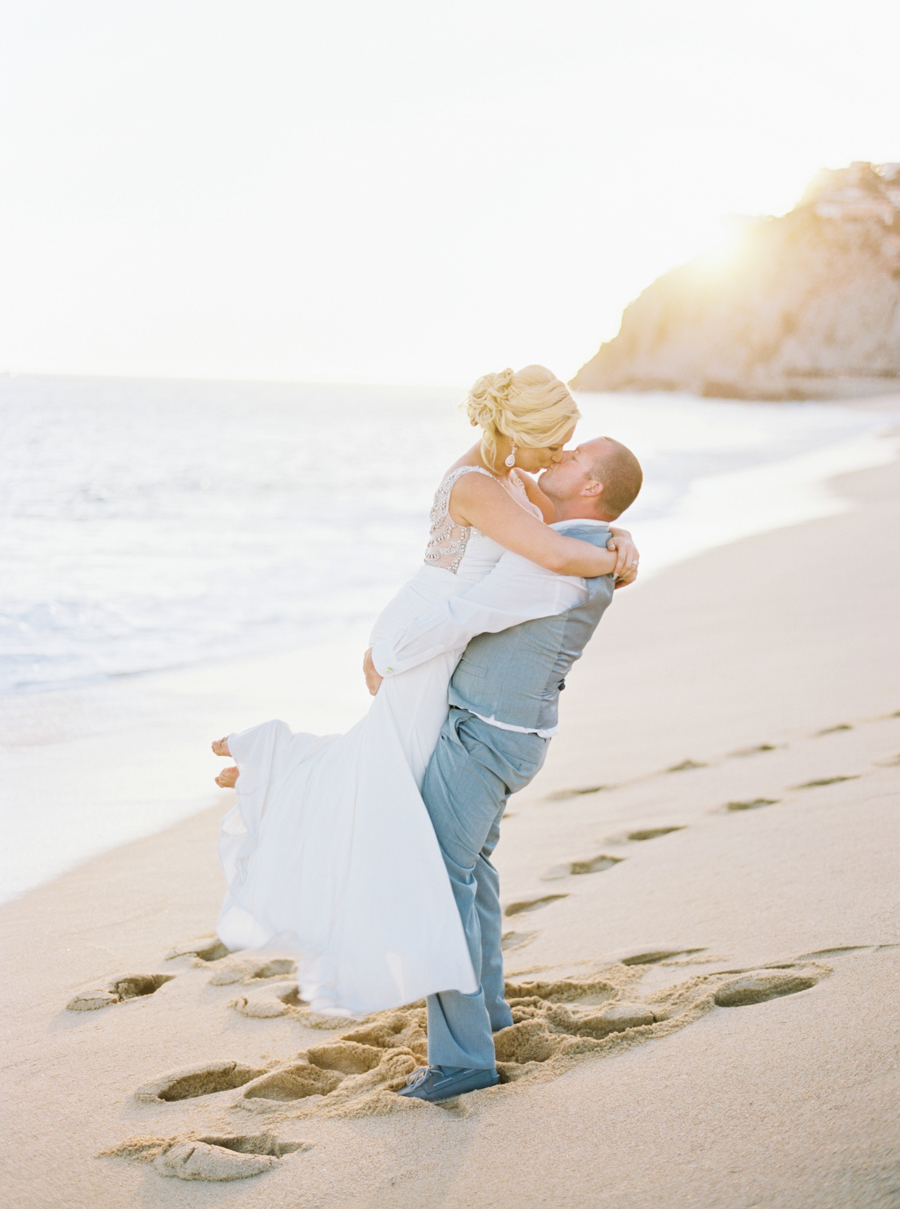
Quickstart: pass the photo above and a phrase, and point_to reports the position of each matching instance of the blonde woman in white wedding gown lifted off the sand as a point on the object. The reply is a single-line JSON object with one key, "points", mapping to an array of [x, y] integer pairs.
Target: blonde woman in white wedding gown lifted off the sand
{"points": [[330, 852]]}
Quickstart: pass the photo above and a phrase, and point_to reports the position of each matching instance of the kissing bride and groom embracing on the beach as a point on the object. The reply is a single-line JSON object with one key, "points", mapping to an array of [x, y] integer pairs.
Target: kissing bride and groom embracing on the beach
{"points": [[368, 854]]}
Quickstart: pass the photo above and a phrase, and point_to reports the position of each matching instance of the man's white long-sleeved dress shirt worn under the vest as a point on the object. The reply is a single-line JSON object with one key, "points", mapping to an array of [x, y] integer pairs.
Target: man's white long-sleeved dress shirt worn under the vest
{"points": [[515, 592]]}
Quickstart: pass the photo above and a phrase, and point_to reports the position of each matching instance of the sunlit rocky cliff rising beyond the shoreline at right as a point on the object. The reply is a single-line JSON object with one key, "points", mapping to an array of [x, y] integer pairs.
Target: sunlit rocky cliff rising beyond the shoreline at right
{"points": [[807, 308]]}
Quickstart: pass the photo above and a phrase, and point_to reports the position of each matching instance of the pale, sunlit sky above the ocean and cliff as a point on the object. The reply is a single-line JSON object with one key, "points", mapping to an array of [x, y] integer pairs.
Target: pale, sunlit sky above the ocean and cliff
{"points": [[399, 190]]}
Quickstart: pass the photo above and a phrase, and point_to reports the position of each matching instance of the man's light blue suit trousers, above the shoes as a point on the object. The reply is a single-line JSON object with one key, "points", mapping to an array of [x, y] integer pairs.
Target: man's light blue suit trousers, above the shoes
{"points": [[474, 771]]}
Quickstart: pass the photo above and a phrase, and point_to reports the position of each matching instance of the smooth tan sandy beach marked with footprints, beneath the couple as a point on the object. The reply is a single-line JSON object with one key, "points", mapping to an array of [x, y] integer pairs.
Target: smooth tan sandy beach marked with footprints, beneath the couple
{"points": [[703, 947]]}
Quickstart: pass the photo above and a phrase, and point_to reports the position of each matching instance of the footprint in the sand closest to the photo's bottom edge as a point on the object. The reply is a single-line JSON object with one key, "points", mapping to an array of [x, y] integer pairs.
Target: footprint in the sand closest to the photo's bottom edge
{"points": [[212, 1159]]}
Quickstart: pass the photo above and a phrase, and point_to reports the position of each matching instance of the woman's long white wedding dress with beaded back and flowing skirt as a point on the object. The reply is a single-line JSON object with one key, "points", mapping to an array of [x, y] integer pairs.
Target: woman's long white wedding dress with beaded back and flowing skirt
{"points": [[330, 852]]}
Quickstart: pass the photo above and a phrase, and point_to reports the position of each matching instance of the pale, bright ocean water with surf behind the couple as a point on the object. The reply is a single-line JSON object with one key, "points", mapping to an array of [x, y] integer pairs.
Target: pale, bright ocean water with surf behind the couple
{"points": [[184, 559]]}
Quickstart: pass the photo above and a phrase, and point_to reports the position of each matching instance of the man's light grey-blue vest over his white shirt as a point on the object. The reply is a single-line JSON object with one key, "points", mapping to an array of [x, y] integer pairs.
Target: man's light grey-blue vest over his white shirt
{"points": [[516, 676]]}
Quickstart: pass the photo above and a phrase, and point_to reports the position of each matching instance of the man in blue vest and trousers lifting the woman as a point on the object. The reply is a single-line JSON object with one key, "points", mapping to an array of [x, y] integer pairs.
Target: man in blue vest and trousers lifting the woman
{"points": [[523, 629]]}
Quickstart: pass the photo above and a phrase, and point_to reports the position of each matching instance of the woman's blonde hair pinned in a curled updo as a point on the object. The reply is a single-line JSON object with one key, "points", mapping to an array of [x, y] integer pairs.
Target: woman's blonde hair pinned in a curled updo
{"points": [[530, 407]]}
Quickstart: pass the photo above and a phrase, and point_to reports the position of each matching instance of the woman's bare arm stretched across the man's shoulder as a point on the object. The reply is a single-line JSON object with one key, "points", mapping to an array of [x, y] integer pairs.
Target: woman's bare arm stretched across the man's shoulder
{"points": [[480, 501]]}
